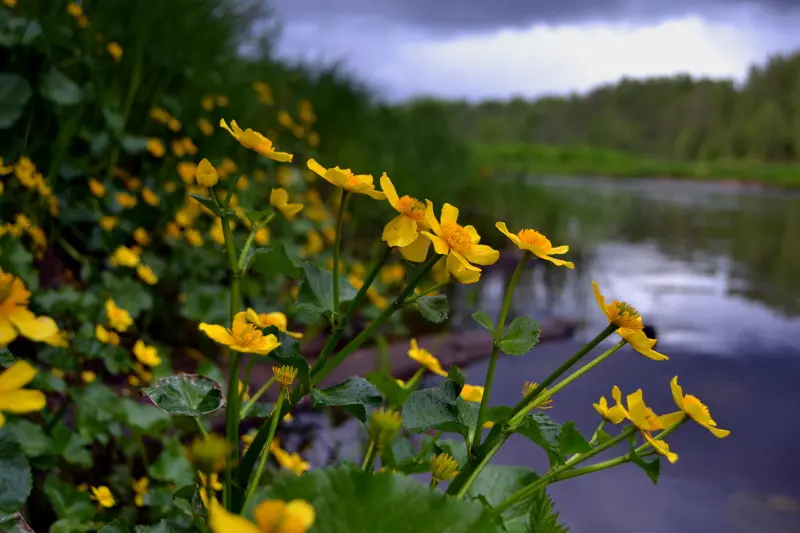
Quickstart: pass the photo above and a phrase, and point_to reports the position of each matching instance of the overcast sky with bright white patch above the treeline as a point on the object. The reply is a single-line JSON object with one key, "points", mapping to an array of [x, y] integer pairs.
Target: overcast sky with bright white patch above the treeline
{"points": [[498, 48]]}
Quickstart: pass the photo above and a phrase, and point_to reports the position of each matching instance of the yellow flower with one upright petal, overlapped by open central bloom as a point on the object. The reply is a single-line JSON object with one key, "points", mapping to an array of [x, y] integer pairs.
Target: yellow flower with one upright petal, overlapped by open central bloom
{"points": [[403, 231]]}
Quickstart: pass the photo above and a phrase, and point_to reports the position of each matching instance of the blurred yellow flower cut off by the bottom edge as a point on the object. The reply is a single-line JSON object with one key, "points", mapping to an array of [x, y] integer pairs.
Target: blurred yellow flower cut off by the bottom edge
{"points": [[271, 516]]}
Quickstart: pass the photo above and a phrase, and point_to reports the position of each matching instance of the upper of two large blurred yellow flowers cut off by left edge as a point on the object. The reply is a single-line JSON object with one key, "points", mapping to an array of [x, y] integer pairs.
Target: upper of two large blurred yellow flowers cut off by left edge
{"points": [[15, 318]]}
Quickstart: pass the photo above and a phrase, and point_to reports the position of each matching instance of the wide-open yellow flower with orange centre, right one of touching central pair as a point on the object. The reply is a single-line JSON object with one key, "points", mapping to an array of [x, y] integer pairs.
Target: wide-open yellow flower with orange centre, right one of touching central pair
{"points": [[459, 243]]}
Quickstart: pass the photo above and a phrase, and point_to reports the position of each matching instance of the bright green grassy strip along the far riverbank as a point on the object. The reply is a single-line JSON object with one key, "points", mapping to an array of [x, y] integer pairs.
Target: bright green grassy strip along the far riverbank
{"points": [[586, 160]]}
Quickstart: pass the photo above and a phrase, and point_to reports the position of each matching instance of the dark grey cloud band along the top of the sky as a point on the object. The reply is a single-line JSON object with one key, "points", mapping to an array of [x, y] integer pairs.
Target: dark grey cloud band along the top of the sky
{"points": [[485, 15]]}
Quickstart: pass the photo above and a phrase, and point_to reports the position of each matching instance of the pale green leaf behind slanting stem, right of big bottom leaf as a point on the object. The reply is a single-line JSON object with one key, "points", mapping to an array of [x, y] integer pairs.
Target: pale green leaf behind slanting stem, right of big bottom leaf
{"points": [[496, 483]]}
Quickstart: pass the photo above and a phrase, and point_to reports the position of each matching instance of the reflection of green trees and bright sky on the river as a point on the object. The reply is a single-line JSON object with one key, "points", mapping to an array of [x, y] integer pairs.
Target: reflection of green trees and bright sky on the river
{"points": [[711, 266]]}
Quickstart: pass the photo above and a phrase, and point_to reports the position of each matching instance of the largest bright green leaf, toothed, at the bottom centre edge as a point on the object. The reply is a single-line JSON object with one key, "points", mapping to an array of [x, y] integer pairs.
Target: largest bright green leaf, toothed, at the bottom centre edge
{"points": [[346, 499]]}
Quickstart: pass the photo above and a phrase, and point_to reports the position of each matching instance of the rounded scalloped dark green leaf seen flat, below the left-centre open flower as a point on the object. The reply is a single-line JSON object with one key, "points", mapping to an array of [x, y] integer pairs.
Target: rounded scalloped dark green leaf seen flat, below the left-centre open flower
{"points": [[186, 395]]}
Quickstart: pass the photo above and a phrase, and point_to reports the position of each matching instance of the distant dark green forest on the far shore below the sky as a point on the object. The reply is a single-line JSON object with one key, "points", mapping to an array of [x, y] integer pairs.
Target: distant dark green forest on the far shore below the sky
{"points": [[671, 117]]}
